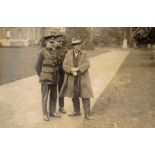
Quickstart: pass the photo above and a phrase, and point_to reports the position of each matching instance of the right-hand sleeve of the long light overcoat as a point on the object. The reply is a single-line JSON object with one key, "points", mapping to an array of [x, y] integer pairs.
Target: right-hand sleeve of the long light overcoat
{"points": [[85, 64]]}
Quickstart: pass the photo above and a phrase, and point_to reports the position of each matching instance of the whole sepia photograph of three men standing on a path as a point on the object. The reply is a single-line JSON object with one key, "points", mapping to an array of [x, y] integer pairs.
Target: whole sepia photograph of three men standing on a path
{"points": [[77, 77]]}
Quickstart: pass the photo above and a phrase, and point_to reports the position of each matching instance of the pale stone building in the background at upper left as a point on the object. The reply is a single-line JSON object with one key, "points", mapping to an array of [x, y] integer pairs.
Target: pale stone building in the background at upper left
{"points": [[25, 36]]}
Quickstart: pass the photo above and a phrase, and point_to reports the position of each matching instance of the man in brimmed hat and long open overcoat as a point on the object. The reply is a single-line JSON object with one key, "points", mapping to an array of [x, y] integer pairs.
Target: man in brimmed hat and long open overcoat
{"points": [[77, 81]]}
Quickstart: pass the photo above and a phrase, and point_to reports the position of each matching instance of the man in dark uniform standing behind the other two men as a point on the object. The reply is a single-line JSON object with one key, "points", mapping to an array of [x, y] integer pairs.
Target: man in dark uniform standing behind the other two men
{"points": [[61, 55]]}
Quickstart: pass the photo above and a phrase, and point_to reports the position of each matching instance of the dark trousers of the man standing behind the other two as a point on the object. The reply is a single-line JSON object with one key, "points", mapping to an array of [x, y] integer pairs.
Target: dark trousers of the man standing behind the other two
{"points": [[61, 80]]}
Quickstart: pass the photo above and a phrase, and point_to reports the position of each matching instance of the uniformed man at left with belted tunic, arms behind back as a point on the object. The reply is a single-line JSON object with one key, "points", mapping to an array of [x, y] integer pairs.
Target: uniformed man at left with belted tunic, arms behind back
{"points": [[47, 71]]}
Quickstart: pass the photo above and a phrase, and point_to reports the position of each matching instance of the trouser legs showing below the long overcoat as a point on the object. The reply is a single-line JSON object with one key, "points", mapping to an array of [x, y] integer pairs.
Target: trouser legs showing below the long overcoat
{"points": [[86, 105]]}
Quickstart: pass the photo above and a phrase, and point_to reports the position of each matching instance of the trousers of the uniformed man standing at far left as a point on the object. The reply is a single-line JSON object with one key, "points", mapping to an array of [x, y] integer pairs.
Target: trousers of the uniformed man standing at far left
{"points": [[47, 90]]}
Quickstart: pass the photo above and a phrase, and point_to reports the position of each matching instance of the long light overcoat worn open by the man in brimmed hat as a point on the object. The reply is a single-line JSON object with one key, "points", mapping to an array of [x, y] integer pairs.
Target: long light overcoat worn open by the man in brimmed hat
{"points": [[68, 84]]}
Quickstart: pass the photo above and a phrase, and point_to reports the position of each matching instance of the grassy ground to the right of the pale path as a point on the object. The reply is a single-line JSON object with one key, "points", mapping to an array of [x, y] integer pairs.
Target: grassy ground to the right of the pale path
{"points": [[129, 100]]}
